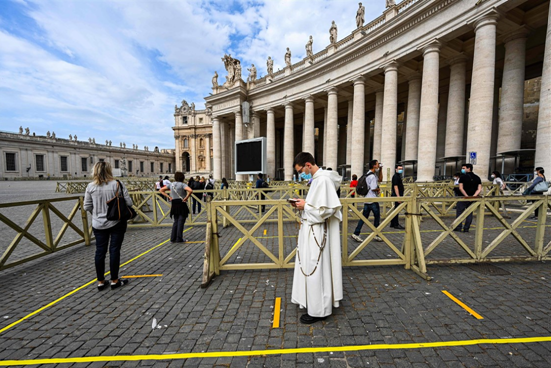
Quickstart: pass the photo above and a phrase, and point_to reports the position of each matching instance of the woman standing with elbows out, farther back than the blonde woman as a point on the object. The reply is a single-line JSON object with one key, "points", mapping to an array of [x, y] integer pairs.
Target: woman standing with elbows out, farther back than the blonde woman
{"points": [[179, 194]]}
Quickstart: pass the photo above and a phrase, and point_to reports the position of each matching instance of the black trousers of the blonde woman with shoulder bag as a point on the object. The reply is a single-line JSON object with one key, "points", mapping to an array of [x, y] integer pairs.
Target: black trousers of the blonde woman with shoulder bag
{"points": [[112, 238]]}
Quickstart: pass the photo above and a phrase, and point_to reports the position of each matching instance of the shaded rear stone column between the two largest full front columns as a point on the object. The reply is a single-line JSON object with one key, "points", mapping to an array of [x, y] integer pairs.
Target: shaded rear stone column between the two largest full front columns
{"points": [[455, 119]]}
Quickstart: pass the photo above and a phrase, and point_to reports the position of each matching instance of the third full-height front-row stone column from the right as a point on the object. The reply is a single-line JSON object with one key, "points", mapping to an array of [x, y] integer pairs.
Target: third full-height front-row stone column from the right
{"points": [[390, 109]]}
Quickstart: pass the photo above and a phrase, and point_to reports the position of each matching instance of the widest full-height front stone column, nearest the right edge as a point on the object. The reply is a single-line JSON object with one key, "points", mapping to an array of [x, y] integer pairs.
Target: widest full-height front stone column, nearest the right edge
{"points": [[479, 134]]}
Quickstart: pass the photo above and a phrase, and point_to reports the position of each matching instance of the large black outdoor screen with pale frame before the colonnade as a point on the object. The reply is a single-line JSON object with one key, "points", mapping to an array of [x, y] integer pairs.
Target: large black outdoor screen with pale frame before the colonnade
{"points": [[250, 156]]}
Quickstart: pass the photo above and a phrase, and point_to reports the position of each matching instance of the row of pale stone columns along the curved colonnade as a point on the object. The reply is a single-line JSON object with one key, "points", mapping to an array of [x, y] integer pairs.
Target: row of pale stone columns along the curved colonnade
{"points": [[422, 110]]}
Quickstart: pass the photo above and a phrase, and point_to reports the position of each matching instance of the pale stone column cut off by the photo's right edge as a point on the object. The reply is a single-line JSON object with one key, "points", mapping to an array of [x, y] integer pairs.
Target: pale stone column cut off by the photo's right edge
{"points": [[543, 138]]}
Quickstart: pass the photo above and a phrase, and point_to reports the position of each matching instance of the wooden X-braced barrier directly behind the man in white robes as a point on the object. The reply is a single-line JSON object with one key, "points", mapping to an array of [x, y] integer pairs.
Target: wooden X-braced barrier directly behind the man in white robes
{"points": [[429, 237]]}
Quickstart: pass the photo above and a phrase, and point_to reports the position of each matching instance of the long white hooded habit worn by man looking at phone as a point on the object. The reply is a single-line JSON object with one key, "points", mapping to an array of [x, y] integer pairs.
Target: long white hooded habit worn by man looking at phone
{"points": [[321, 291]]}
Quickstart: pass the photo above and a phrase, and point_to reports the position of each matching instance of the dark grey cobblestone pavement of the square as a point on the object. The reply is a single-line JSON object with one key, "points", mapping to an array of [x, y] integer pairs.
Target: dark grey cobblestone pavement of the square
{"points": [[382, 305]]}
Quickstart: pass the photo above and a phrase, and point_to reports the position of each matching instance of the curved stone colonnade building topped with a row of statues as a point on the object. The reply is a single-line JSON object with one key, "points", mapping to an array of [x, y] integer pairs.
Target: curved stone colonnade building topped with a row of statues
{"points": [[430, 84]]}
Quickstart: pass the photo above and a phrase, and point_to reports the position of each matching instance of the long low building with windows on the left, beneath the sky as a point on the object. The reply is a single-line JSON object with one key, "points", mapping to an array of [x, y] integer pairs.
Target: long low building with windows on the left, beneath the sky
{"points": [[27, 155]]}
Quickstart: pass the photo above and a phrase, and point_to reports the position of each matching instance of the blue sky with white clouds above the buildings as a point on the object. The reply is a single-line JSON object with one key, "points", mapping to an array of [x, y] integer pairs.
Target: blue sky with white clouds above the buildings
{"points": [[113, 70]]}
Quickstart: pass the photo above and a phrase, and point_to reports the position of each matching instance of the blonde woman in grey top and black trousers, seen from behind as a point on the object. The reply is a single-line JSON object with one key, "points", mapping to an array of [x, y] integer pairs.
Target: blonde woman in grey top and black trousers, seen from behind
{"points": [[108, 233]]}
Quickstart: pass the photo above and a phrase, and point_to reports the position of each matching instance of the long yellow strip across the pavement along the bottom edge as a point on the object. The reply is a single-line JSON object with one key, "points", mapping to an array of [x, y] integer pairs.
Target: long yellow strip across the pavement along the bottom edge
{"points": [[219, 354]]}
